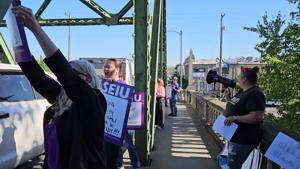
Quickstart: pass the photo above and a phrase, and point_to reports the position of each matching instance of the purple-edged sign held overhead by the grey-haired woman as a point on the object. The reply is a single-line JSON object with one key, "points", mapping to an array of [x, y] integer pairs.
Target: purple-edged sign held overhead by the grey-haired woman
{"points": [[16, 29]]}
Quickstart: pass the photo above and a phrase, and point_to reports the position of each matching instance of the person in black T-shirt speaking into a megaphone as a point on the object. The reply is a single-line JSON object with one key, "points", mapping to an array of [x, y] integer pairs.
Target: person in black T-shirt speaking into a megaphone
{"points": [[246, 109]]}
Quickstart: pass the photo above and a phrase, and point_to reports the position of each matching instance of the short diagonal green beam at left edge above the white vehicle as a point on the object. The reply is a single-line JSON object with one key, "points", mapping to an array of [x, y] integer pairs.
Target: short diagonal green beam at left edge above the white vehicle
{"points": [[5, 55]]}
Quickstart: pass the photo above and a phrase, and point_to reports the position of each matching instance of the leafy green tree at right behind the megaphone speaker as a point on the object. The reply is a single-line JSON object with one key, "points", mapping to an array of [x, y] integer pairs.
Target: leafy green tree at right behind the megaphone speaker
{"points": [[280, 78]]}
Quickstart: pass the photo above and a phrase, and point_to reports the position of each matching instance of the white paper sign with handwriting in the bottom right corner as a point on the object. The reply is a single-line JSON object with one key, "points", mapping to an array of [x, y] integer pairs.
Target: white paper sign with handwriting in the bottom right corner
{"points": [[285, 151]]}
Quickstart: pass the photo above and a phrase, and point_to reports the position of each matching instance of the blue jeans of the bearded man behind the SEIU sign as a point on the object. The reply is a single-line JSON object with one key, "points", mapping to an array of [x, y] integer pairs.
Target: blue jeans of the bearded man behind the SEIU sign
{"points": [[135, 162]]}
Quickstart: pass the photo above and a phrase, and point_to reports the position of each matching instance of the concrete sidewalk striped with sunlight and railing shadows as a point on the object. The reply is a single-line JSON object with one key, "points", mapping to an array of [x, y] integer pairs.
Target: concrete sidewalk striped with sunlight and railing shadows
{"points": [[184, 143]]}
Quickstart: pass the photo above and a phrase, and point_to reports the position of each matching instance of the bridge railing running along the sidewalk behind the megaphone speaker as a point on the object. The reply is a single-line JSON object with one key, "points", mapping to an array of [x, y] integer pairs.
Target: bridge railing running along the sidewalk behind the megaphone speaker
{"points": [[209, 108]]}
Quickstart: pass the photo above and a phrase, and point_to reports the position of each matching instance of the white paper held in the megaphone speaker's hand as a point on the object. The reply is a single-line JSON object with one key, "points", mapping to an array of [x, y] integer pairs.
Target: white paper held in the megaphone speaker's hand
{"points": [[225, 131]]}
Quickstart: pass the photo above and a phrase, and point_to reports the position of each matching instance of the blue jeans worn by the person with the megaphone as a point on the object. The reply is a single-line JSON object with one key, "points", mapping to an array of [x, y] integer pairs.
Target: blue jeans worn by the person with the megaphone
{"points": [[237, 154]]}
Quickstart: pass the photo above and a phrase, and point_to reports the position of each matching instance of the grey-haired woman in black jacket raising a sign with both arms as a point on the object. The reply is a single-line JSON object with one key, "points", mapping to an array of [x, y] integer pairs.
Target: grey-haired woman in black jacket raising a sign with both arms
{"points": [[74, 124]]}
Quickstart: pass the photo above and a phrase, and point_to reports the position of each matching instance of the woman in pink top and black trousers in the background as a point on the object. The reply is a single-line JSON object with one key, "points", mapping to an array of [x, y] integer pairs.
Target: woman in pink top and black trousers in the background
{"points": [[160, 94]]}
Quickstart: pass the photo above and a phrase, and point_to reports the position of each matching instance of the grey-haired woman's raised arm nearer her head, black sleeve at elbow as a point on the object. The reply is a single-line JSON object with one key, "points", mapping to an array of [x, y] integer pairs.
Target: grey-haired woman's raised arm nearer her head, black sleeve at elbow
{"points": [[74, 86]]}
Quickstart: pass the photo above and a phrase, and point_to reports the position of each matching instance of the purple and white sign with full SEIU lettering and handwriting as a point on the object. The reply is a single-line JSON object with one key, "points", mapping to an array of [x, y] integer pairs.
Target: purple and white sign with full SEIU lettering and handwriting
{"points": [[119, 98]]}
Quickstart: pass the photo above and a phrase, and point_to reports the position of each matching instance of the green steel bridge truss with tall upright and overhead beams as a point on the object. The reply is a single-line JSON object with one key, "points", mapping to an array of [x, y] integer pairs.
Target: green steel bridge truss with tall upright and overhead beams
{"points": [[149, 52]]}
